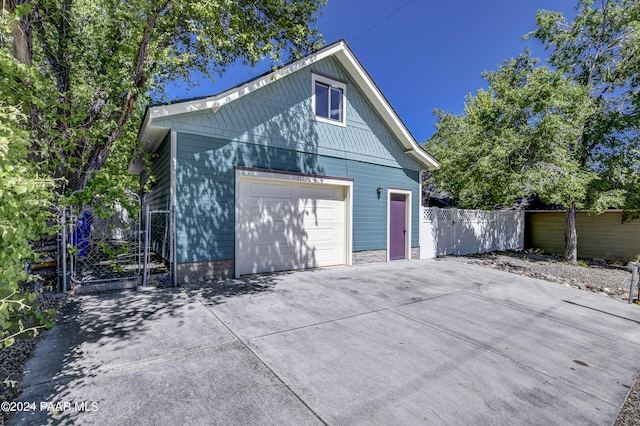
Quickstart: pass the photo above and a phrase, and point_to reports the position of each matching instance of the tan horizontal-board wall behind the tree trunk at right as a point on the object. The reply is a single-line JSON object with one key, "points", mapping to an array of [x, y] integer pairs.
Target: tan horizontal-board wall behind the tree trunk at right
{"points": [[603, 236]]}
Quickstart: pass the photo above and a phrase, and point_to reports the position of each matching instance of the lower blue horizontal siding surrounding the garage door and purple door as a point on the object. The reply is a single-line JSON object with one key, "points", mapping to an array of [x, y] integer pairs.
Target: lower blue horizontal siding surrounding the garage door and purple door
{"points": [[206, 192]]}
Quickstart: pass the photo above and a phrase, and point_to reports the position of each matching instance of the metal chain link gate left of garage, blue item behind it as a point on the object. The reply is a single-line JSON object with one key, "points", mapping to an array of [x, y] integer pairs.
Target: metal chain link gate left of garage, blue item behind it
{"points": [[116, 241]]}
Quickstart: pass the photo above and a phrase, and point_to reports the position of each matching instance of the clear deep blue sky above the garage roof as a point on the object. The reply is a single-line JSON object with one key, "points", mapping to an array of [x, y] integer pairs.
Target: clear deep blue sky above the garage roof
{"points": [[428, 54]]}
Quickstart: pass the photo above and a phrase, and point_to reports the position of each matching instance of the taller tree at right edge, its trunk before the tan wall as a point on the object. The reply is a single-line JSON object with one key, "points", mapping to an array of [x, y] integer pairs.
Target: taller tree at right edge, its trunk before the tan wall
{"points": [[600, 50]]}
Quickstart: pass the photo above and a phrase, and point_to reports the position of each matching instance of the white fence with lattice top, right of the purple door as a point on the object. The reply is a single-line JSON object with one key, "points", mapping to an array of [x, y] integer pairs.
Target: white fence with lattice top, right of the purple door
{"points": [[459, 232]]}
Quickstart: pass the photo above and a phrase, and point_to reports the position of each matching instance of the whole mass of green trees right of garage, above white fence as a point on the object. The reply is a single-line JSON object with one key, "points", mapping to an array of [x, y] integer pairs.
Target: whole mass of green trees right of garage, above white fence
{"points": [[592, 152]]}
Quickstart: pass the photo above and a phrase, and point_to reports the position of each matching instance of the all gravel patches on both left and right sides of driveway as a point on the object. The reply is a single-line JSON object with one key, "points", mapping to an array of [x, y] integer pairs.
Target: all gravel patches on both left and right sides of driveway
{"points": [[597, 276]]}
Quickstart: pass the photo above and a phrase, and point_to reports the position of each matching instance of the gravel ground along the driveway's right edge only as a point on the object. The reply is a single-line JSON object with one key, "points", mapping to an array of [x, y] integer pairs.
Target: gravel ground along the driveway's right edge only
{"points": [[613, 280]]}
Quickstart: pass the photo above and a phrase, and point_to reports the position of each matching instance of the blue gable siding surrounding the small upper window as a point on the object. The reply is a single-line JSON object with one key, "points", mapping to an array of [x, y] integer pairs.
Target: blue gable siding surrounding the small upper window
{"points": [[280, 115]]}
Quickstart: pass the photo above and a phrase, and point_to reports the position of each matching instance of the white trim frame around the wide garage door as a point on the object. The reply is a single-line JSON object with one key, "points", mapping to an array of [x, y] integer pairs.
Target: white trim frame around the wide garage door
{"points": [[276, 176]]}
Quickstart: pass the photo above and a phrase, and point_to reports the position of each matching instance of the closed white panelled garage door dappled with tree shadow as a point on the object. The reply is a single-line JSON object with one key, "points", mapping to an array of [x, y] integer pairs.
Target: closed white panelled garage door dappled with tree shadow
{"points": [[284, 225]]}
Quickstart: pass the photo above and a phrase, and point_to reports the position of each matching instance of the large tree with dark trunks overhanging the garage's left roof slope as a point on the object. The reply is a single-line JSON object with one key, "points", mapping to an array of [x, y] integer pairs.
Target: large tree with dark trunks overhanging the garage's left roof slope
{"points": [[98, 62]]}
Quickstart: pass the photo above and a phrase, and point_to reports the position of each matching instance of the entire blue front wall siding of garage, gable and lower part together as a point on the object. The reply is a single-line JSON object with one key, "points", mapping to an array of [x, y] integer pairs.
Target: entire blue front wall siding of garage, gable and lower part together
{"points": [[272, 128]]}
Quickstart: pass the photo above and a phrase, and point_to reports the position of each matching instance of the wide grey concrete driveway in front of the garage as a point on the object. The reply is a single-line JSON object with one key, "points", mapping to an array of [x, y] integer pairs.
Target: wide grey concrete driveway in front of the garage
{"points": [[409, 342]]}
